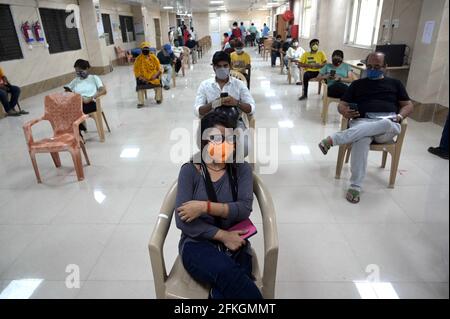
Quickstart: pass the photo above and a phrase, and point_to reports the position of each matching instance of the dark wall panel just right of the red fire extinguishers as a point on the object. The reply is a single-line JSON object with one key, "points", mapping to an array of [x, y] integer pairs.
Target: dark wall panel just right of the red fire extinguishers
{"points": [[59, 36]]}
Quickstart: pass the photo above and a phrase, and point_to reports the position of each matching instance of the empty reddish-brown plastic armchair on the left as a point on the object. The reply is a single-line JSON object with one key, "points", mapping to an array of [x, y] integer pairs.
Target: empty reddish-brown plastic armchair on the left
{"points": [[64, 111]]}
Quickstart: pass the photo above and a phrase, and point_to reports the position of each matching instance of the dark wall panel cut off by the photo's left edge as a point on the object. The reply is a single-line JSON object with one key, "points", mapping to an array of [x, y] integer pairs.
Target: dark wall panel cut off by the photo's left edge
{"points": [[9, 43]]}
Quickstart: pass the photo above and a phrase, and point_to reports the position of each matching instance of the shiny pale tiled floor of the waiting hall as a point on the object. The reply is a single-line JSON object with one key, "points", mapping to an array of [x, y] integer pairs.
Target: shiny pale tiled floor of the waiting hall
{"points": [[102, 225]]}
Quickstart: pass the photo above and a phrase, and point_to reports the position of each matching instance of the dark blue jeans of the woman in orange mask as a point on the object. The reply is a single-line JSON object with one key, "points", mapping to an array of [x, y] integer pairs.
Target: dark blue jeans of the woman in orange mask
{"points": [[229, 278]]}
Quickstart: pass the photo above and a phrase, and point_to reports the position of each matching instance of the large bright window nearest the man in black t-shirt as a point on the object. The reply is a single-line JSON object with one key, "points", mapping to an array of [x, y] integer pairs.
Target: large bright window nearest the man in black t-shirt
{"points": [[363, 22]]}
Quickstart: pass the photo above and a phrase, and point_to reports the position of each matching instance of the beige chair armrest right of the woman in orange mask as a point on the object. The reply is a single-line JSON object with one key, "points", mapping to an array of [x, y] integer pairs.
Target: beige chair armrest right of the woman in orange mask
{"points": [[270, 237]]}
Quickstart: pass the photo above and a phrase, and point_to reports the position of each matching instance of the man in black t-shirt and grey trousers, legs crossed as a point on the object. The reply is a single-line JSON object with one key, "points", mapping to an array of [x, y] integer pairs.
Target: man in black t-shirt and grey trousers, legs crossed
{"points": [[375, 107]]}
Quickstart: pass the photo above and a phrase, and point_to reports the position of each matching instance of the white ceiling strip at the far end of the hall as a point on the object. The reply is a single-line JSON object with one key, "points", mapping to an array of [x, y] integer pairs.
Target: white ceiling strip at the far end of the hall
{"points": [[192, 6]]}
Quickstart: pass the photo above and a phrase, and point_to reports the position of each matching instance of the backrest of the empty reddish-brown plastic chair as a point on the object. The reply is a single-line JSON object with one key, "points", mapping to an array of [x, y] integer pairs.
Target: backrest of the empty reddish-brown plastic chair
{"points": [[62, 110]]}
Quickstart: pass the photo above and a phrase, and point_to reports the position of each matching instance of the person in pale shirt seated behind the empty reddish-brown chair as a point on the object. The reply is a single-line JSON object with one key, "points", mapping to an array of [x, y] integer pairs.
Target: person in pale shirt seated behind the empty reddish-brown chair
{"points": [[89, 86]]}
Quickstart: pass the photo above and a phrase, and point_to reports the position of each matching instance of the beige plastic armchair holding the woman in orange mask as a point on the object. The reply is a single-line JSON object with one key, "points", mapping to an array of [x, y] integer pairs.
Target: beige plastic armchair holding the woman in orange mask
{"points": [[178, 284]]}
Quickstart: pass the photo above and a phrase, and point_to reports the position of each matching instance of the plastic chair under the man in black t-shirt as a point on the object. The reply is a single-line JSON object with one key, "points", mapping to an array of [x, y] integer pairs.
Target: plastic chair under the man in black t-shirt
{"points": [[394, 149]]}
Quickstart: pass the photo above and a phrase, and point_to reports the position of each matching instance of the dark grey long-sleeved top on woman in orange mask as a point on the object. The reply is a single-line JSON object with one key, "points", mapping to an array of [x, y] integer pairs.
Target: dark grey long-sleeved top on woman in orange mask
{"points": [[191, 186]]}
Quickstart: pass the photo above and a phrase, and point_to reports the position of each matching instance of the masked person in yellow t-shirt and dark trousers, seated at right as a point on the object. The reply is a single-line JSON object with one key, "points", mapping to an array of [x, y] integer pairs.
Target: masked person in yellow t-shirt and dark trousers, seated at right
{"points": [[312, 62]]}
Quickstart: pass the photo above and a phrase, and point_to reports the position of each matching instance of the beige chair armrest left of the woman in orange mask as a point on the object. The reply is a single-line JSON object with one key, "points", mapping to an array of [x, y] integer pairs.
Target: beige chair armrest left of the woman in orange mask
{"points": [[157, 239]]}
